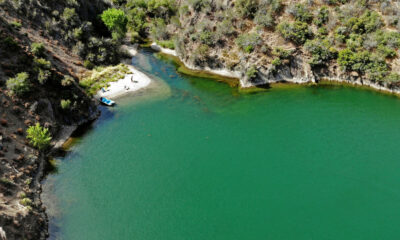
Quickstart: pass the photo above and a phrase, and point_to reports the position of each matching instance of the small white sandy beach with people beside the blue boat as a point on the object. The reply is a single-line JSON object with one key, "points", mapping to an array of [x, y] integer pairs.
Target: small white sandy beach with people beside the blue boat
{"points": [[131, 83]]}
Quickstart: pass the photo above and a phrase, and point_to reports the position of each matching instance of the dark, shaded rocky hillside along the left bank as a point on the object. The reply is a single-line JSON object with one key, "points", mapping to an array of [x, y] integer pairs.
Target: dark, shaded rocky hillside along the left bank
{"points": [[52, 81]]}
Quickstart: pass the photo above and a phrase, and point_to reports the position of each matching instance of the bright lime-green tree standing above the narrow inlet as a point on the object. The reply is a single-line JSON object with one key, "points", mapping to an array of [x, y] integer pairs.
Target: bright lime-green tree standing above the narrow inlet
{"points": [[116, 21]]}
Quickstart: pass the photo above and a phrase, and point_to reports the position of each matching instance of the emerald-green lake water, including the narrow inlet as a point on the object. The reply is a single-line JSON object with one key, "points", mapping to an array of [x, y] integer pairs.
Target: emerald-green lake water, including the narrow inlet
{"points": [[199, 160]]}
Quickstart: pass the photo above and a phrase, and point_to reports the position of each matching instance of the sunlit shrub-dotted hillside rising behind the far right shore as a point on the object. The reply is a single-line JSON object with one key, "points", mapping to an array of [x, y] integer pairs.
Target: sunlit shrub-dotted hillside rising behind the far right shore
{"points": [[276, 40]]}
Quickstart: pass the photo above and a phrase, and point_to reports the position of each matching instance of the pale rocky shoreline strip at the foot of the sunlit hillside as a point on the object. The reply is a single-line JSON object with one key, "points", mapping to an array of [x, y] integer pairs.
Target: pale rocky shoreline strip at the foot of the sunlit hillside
{"points": [[237, 75]]}
